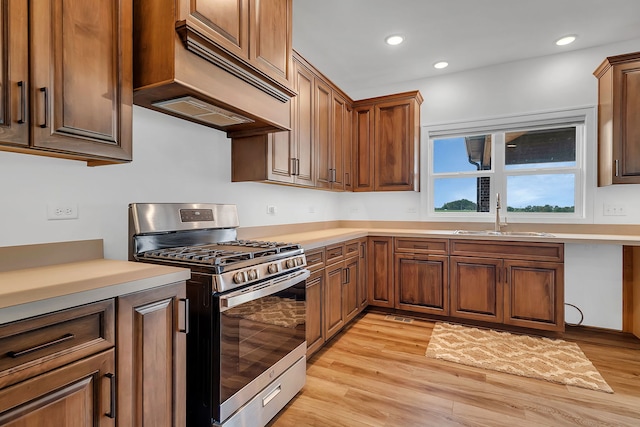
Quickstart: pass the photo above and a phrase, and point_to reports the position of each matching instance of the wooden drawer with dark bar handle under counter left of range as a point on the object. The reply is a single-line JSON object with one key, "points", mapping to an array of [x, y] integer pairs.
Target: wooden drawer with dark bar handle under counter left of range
{"points": [[39, 344]]}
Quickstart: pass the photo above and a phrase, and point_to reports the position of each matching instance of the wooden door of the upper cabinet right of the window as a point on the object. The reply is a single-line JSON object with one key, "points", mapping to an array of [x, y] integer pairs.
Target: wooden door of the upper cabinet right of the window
{"points": [[626, 123]]}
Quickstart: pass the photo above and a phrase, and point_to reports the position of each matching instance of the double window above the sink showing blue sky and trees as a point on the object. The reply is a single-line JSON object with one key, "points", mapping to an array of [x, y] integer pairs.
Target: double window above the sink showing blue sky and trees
{"points": [[536, 168]]}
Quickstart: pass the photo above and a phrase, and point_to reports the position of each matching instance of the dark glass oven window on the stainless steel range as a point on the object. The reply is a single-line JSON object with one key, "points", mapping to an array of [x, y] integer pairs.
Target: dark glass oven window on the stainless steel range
{"points": [[257, 334]]}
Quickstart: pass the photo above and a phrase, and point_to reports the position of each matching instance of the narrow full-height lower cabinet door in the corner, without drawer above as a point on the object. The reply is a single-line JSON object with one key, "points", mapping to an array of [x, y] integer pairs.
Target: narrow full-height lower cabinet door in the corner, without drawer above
{"points": [[380, 271]]}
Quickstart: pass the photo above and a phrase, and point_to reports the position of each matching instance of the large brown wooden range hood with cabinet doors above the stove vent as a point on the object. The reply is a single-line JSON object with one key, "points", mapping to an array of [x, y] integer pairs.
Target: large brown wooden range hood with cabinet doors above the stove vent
{"points": [[224, 67]]}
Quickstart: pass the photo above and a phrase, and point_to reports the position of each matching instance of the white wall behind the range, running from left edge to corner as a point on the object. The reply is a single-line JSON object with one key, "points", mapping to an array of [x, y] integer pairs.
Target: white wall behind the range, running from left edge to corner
{"points": [[174, 161]]}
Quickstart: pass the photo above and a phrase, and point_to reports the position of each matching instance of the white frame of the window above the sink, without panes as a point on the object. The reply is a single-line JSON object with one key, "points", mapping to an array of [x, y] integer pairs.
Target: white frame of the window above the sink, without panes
{"points": [[582, 118]]}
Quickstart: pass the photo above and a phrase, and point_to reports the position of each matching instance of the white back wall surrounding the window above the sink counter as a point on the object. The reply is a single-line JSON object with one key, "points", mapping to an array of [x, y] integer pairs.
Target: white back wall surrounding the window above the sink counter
{"points": [[558, 82]]}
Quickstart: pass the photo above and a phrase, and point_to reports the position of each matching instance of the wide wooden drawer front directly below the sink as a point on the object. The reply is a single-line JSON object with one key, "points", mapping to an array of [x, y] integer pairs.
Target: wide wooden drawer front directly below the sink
{"points": [[534, 251]]}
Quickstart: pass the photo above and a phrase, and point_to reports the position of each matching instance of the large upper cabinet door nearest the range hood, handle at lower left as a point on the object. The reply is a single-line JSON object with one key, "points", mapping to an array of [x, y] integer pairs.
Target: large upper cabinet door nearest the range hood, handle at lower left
{"points": [[81, 93]]}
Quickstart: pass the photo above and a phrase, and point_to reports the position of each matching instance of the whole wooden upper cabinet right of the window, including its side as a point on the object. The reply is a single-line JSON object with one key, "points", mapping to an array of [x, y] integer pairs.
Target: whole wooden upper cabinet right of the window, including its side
{"points": [[619, 120]]}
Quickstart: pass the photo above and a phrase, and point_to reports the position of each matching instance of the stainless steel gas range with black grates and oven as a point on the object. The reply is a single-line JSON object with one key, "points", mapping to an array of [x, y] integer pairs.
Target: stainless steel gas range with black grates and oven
{"points": [[246, 344]]}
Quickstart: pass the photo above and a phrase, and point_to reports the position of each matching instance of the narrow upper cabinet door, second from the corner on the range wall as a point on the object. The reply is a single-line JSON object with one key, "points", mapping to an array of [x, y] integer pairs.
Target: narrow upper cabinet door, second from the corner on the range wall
{"points": [[324, 165]]}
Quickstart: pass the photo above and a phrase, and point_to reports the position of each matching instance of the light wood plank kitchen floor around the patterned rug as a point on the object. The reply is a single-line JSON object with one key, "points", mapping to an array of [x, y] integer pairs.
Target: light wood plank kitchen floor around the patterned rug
{"points": [[375, 373]]}
